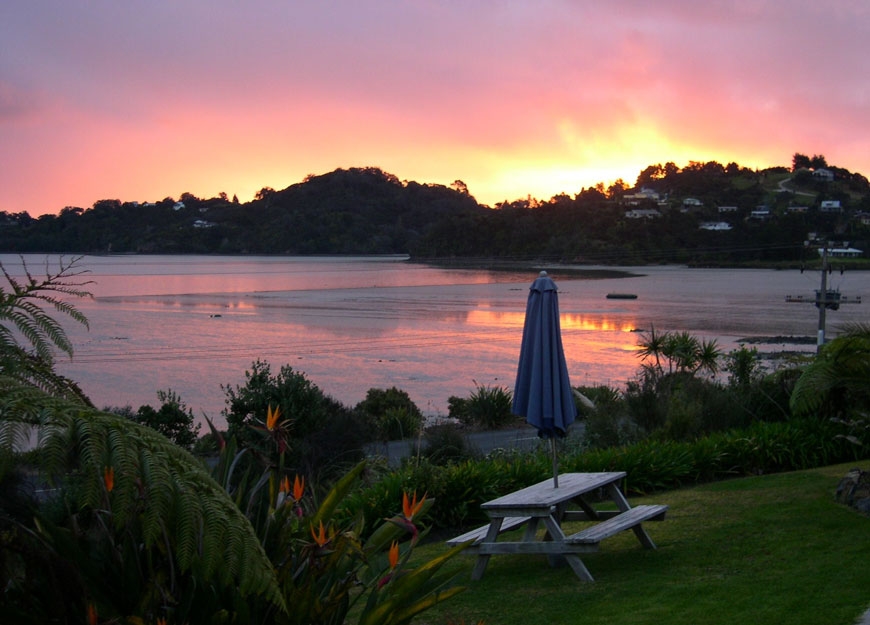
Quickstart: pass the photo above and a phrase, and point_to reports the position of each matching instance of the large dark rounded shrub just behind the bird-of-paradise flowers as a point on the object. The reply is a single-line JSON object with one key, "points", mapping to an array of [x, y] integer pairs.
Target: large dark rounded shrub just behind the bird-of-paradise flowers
{"points": [[321, 436]]}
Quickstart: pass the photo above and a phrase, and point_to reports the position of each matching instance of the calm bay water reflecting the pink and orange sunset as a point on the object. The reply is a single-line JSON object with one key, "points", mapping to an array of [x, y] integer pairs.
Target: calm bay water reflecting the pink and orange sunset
{"points": [[195, 323]]}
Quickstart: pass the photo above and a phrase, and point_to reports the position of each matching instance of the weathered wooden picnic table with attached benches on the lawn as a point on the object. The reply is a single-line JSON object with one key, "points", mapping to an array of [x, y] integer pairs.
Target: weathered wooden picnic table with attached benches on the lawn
{"points": [[547, 504]]}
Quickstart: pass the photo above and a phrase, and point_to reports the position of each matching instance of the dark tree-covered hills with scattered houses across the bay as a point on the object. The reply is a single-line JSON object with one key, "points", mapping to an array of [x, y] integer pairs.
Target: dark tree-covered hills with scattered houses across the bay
{"points": [[703, 212]]}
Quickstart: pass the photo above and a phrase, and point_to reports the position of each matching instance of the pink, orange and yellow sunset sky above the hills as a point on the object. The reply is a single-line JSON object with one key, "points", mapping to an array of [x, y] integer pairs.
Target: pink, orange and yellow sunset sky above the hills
{"points": [[147, 99]]}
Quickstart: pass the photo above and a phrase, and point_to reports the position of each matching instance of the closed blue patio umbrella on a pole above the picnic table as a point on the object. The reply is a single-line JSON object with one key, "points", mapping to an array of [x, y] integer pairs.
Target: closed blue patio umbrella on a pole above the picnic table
{"points": [[542, 393]]}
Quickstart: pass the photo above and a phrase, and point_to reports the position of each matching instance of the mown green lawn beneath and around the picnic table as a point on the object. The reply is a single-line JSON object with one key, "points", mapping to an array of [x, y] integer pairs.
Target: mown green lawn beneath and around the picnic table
{"points": [[770, 549]]}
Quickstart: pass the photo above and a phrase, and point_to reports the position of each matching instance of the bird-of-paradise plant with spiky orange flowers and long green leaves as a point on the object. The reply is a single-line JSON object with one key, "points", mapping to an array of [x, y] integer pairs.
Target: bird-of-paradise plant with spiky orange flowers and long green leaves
{"points": [[333, 566]]}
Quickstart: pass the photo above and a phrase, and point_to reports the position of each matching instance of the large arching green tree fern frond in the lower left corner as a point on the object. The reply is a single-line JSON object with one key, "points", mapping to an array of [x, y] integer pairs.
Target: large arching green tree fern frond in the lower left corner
{"points": [[76, 439]]}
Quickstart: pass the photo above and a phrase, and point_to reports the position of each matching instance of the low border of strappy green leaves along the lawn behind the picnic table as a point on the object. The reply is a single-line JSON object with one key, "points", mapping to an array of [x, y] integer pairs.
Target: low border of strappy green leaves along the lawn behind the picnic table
{"points": [[651, 465]]}
